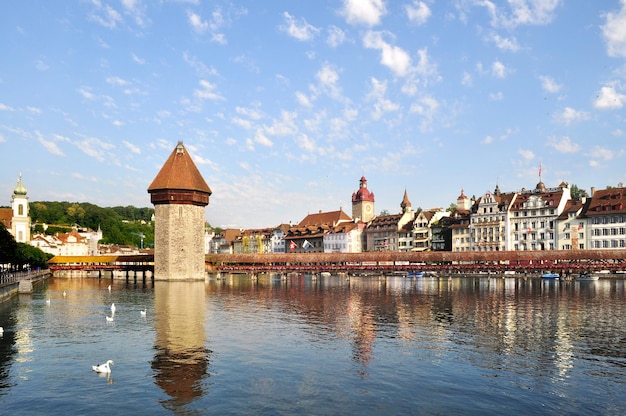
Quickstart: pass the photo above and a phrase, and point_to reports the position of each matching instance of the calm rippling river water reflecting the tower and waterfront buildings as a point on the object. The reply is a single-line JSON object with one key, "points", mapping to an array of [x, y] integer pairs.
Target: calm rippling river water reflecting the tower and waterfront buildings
{"points": [[326, 346]]}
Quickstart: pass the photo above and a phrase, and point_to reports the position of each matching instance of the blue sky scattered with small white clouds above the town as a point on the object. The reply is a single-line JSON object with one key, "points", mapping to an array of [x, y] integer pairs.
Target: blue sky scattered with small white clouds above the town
{"points": [[284, 105]]}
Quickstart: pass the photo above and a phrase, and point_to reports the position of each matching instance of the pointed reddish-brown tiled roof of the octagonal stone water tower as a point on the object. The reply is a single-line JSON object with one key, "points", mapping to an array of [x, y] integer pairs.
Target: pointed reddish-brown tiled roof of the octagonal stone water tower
{"points": [[179, 172]]}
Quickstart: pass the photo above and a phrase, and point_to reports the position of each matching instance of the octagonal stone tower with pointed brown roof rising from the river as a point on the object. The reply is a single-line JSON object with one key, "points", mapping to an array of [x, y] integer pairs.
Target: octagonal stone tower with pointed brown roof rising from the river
{"points": [[179, 194]]}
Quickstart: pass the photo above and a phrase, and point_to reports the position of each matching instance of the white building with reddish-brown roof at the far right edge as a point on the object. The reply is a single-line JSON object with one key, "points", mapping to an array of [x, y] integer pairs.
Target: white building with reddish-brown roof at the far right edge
{"points": [[606, 216]]}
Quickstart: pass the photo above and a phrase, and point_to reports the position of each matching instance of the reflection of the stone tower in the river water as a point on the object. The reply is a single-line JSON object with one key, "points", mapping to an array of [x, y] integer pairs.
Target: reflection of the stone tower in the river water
{"points": [[181, 358]]}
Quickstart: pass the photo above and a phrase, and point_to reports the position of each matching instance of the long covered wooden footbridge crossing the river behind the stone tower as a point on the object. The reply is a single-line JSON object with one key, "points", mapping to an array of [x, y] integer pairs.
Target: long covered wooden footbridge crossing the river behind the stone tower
{"points": [[444, 262]]}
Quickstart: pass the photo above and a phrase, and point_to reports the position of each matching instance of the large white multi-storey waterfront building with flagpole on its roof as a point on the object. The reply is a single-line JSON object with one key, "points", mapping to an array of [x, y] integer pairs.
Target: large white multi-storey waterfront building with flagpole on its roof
{"points": [[534, 215]]}
